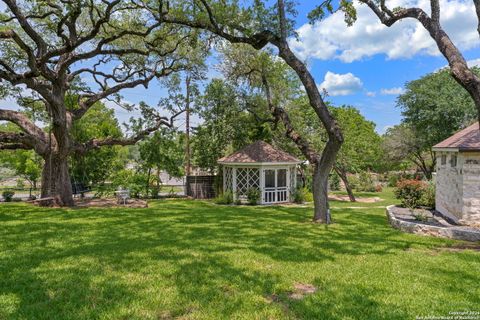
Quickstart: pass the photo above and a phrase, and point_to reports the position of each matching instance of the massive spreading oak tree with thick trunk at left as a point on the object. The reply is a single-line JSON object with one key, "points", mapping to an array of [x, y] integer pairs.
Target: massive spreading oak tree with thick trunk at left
{"points": [[47, 47]]}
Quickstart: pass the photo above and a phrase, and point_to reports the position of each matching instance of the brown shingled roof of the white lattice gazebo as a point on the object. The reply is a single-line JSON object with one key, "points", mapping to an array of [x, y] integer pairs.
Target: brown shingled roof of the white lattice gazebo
{"points": [[259, 152]]}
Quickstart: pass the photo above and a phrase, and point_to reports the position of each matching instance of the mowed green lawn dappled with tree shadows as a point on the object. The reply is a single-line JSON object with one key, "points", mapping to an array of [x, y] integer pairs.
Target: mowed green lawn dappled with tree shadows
{"points": [[187, 259]]}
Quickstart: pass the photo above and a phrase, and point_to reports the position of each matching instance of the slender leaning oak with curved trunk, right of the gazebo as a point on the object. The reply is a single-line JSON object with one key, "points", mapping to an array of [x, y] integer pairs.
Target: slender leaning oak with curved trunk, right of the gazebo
{"points": [[261, 26]]}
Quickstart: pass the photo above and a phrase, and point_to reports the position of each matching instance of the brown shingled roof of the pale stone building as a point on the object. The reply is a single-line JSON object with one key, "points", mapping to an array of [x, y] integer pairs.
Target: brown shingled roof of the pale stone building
{"points": [[467, 139]]}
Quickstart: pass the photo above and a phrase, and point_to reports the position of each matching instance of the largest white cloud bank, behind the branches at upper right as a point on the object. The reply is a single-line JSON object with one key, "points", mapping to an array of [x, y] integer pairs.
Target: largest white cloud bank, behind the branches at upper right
{"points": [[331, 38]]}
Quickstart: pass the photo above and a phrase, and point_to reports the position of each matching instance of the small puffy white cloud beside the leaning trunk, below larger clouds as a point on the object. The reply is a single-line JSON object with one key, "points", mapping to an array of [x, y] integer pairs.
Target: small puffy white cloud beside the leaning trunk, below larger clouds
{"points": [[341, 84]]}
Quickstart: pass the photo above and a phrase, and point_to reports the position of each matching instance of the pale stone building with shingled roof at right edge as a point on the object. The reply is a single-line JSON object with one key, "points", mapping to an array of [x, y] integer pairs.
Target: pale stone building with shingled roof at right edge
{"points": [[458, 176]]}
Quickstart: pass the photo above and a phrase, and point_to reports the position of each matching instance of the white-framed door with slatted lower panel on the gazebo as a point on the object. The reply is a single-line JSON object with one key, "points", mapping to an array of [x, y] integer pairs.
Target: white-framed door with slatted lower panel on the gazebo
{"points": [[275, 185]]}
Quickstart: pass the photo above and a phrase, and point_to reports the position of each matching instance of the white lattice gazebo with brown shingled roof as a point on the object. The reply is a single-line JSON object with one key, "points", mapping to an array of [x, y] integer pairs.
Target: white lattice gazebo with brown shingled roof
{"points": [[261, 166]]}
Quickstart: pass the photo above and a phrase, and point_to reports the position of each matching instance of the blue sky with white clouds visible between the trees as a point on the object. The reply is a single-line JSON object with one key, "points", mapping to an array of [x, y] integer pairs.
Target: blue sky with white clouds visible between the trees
{"points": [[366, 65]]}
